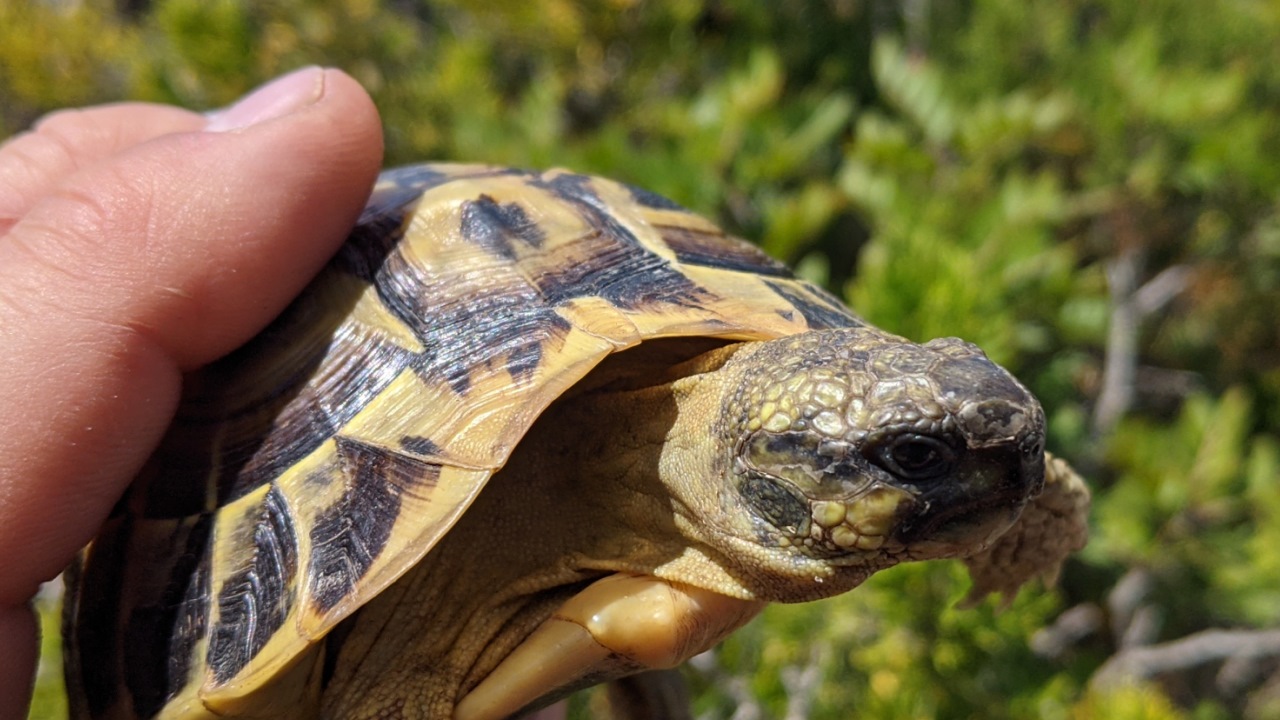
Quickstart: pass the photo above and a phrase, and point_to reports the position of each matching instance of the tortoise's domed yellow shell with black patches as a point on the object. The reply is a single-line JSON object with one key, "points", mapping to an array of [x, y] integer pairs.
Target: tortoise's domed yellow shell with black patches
{"points": [[305, 472]]}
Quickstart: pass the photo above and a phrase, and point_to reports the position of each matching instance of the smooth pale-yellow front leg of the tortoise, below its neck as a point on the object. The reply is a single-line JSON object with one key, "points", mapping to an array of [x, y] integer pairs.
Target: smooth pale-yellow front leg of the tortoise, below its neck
{"points": [[619, 626]]}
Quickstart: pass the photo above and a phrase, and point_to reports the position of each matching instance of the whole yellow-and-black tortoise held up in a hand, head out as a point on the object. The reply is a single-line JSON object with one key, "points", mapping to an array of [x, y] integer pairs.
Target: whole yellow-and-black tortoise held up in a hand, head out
{"points": [[531, 432]]}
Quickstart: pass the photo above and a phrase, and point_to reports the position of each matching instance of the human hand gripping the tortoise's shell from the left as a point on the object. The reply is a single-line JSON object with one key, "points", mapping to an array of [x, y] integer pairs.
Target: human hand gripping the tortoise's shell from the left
{"points": [[139, 243]]}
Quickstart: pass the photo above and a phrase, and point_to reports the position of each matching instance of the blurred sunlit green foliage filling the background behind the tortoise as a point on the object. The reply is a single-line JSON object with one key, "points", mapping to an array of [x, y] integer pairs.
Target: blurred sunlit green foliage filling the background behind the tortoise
{"points": [[1090, 190]]}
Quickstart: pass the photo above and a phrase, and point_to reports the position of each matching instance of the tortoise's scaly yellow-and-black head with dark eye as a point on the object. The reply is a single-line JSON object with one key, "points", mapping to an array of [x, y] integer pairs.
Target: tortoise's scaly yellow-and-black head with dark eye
{"points": [[851, 450]]}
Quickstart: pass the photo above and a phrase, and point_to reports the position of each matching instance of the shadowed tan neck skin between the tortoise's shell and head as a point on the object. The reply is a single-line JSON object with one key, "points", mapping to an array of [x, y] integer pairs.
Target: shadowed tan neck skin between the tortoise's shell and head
{"points": [[582, 498]]}
